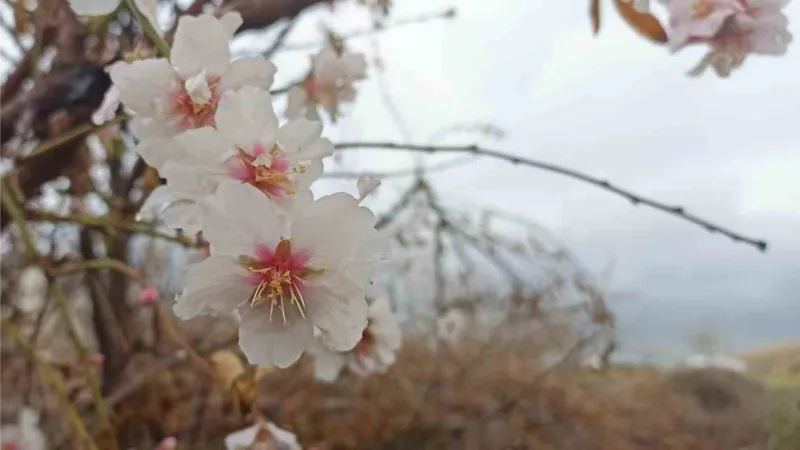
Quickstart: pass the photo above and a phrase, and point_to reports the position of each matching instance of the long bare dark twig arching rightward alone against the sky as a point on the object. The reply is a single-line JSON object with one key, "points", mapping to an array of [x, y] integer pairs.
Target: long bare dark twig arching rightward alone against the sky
{"points": [[636, 199]]}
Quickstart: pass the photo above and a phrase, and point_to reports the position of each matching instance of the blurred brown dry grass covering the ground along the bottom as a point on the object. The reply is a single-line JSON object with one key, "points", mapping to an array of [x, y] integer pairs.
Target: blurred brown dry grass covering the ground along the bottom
{"points": [[467, 399]]}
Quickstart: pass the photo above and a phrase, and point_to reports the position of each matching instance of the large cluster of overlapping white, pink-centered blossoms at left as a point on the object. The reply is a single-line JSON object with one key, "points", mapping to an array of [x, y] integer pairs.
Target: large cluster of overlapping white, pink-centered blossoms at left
{"points": [[292, 269]]}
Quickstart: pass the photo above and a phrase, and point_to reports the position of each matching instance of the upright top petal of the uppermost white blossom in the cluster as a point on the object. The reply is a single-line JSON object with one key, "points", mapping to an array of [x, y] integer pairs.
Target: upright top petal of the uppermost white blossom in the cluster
{"points": [[201, 42]]}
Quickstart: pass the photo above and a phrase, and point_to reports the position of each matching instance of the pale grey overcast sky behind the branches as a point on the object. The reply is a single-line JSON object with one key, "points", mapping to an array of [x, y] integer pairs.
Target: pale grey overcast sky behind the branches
{"points": [[614, 106]]}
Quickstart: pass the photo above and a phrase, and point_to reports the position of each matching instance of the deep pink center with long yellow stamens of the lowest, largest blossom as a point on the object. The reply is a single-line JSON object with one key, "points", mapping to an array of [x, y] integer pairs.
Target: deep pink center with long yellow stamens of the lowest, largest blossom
{"points": [[279, 276]]}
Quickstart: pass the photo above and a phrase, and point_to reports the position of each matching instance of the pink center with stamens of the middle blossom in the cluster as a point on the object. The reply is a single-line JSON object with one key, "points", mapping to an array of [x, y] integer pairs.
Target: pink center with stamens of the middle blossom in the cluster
{"points": [[271, 172]]}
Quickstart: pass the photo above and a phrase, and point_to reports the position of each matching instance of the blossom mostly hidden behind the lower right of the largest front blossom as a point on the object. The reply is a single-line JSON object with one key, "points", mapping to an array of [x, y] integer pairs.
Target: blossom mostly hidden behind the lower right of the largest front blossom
{"points": [[374, 353]]}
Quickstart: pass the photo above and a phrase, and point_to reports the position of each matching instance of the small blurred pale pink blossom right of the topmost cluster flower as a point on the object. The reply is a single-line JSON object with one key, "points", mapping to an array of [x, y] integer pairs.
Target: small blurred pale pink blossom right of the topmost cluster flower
{"points": [[329, 85]]}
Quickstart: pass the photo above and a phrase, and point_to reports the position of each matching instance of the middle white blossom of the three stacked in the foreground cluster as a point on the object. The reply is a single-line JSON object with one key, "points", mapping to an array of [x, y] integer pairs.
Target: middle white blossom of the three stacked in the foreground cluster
{"points": [[247, 146]]}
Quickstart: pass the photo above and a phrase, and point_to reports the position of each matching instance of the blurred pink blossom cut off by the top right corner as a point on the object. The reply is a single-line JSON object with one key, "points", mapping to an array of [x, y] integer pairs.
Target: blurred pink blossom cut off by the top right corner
{"points": [[732, 28]]}
